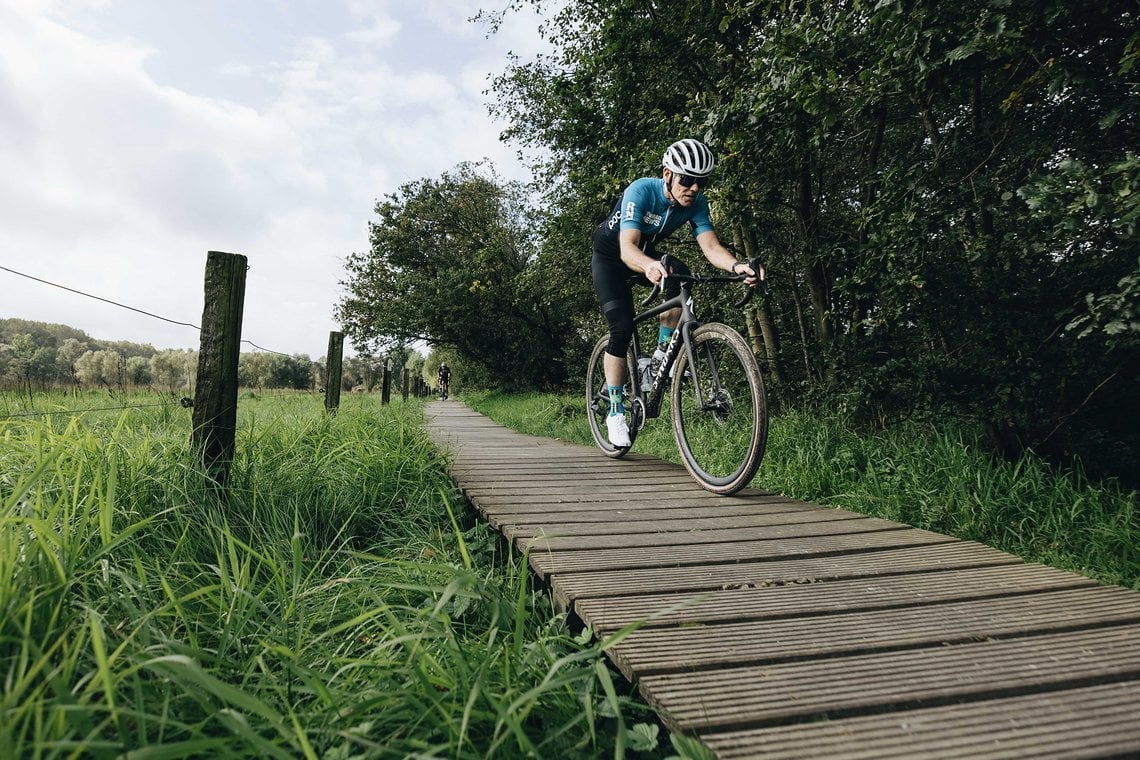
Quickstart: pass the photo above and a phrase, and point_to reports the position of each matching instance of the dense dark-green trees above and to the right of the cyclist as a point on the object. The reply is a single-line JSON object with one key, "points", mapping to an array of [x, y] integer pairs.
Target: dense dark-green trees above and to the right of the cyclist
{"points": [[944, 194]]}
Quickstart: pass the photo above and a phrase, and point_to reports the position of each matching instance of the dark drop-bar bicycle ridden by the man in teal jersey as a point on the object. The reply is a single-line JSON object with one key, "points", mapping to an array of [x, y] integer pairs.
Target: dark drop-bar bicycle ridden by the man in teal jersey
{"points": [[718, 403]]}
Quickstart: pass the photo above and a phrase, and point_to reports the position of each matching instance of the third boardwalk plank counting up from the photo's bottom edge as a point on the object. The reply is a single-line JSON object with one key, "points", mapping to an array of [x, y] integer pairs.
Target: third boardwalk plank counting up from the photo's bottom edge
{"points": [[686, 649]]}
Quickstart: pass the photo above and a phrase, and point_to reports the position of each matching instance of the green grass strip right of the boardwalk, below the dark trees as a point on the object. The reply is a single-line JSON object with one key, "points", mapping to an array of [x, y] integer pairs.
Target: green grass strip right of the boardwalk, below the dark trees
{"points": [[939, 479]]}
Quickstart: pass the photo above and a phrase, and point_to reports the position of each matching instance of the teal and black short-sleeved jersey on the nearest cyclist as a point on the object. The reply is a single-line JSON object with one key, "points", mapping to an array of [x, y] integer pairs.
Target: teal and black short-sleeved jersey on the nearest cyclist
{"points": [[645, 207]]}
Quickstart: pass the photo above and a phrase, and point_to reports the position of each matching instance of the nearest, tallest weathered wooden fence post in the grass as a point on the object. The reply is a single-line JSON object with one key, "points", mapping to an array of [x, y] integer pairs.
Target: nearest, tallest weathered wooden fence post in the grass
{"points": [[215, 418]]}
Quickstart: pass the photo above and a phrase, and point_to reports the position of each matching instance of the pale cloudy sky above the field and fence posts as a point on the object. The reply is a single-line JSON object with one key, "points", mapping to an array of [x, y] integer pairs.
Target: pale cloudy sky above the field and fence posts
{"points": [[139, 135]]}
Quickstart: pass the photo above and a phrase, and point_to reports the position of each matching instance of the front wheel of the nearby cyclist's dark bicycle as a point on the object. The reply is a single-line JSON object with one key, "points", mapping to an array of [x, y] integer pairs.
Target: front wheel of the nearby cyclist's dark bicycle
{"points": [[720, 412]]}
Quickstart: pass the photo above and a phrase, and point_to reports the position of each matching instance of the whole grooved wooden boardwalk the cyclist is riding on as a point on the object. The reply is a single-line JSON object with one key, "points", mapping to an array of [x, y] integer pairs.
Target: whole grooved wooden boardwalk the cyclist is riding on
{"points": [[781, 630]]}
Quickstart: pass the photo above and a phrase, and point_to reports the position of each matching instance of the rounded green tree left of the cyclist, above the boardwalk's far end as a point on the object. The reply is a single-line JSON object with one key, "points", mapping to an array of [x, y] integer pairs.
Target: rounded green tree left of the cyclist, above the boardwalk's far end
{"points": [[452, 263]]}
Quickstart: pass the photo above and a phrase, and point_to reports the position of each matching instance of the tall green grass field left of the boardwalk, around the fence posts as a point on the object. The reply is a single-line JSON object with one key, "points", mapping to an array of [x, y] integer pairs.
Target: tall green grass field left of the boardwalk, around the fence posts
{"points": [[336, 602]]}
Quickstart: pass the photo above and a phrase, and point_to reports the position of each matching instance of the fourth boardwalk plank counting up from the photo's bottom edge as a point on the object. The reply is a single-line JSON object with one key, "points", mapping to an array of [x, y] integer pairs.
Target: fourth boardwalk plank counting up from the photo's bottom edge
{"points": [[754, 603]]}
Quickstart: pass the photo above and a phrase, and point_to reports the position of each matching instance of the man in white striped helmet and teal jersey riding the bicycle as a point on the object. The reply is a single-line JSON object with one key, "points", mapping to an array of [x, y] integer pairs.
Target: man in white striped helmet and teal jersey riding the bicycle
{"points": [[624, 254]]}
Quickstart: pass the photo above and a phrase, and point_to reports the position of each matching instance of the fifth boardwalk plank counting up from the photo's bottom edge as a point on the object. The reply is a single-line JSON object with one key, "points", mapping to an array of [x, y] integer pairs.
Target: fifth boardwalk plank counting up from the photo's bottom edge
{"points": [[572, 589]]}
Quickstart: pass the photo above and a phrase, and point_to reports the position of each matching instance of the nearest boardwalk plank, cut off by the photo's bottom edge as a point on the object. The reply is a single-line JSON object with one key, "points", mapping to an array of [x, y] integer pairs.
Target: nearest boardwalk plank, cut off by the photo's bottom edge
{"points": [[1079, 723]]}
